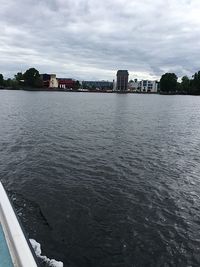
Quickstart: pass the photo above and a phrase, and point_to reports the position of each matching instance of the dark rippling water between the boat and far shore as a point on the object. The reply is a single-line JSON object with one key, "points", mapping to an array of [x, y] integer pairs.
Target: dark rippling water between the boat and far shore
{"points": [[105, 180]]}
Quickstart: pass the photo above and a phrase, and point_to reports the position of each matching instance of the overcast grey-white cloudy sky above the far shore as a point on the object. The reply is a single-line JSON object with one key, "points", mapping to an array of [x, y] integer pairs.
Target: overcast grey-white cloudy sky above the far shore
{"points": [[91, 39]]}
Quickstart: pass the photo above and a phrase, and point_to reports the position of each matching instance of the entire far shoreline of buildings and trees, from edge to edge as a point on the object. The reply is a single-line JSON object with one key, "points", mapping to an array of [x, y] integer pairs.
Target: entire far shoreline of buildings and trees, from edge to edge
{"points": [[31, 79]]}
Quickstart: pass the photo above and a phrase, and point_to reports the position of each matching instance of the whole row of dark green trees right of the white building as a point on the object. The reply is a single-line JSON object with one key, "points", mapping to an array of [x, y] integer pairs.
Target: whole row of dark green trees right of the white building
{"points": [[169, 84]]}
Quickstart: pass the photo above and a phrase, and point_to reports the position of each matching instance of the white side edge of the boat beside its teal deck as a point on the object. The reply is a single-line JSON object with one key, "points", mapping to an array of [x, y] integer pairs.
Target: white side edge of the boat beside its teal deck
{"points": [[19, 249]]}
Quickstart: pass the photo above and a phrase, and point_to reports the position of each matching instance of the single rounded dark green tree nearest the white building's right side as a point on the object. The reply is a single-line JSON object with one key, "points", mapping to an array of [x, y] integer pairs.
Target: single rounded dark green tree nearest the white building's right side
{"points": [[168, 82]]}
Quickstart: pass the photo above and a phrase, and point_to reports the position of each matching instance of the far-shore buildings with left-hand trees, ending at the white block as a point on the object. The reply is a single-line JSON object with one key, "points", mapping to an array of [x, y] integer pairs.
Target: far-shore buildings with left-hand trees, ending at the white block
{"points": [[32, 79]]}
